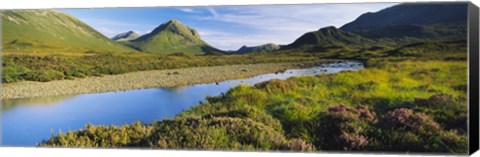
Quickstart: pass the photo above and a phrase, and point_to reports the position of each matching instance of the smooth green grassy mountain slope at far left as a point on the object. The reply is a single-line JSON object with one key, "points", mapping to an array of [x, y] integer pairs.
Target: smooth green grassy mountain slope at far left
{"points": [[47, 31]]}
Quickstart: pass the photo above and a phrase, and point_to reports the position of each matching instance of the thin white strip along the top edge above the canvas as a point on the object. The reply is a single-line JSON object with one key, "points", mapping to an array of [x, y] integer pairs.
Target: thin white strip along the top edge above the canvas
{"points": [[45, 4]]}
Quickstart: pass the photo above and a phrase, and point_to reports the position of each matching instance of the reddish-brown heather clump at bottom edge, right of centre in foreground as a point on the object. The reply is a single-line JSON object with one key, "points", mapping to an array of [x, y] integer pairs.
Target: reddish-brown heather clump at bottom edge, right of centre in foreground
{"points": [[342, 128]]}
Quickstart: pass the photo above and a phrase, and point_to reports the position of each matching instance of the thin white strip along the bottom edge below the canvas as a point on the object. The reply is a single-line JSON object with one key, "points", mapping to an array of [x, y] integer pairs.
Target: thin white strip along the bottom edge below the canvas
{"points": [[79, 152]]}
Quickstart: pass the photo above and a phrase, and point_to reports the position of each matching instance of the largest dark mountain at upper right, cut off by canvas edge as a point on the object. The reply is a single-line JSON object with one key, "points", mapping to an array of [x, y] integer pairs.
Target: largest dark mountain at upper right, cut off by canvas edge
{"points": [[414, 21]]}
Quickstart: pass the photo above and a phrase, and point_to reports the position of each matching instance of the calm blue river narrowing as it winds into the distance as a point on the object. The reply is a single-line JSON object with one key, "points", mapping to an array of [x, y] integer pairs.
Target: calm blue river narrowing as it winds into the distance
{"points": [[26, 122]]}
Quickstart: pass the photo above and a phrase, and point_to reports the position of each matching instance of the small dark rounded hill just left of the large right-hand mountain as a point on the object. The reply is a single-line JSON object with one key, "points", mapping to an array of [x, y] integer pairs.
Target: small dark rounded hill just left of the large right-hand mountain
{"points": [[328, 37]]}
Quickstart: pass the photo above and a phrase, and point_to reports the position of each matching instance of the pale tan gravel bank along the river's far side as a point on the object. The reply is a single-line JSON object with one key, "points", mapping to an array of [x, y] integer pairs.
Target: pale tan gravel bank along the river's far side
{"points": [[143, 79]]}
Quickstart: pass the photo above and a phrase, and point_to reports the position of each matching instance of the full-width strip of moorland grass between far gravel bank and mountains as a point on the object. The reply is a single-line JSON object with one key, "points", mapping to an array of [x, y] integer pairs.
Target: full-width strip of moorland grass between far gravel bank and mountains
{"points": [[47, 66]]}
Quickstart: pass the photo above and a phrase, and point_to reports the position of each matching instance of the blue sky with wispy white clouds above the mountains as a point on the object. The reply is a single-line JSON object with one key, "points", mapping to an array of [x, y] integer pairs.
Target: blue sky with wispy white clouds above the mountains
{"points": [[229, 27]]}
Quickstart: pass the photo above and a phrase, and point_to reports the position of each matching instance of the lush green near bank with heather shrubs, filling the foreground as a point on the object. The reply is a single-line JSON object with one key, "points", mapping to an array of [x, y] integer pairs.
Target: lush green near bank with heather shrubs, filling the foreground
{"points": [[401, 106]]}
